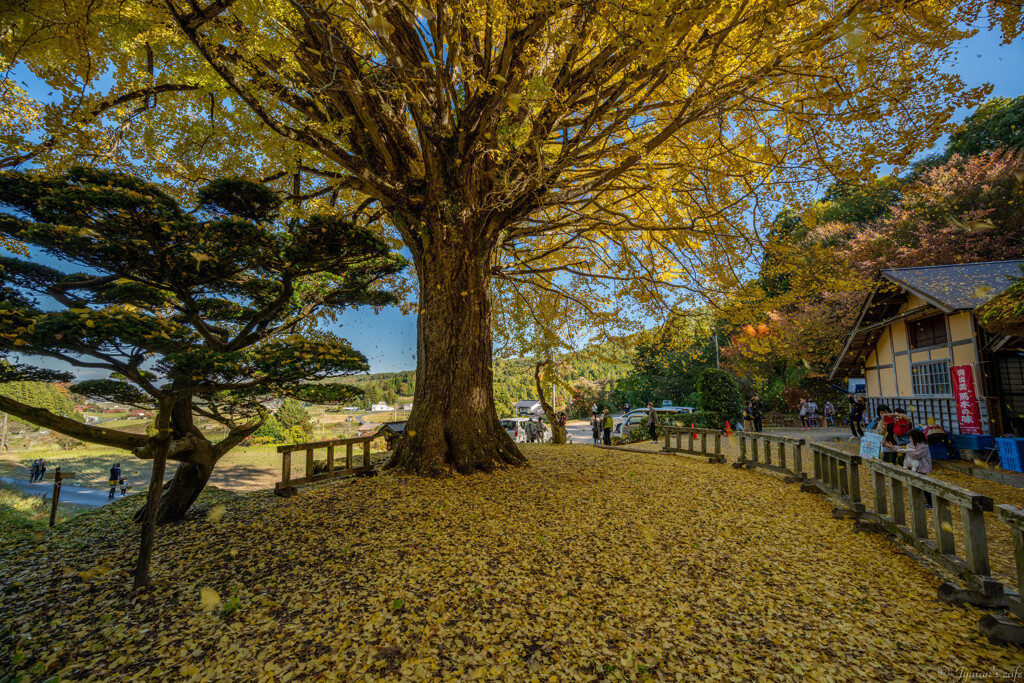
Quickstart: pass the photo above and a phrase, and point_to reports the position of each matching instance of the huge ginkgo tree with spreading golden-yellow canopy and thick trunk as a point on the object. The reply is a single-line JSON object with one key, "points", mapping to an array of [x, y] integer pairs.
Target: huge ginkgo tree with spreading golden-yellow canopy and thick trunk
{"points": [[618, 154]]}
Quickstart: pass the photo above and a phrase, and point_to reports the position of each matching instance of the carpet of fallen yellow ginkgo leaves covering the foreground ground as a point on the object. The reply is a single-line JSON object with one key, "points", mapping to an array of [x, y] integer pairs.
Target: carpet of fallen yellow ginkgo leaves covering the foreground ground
{"points": [[587, 566]]}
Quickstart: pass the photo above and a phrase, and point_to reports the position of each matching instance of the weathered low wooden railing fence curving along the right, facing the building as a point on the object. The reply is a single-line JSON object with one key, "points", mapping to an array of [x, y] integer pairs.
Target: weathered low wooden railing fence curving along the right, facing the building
{"points": [[899, 508]]}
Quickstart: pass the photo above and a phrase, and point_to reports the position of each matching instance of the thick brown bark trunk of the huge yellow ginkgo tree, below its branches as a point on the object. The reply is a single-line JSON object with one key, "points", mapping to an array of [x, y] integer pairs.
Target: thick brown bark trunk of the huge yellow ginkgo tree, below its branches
{"points": [[454, 426]]}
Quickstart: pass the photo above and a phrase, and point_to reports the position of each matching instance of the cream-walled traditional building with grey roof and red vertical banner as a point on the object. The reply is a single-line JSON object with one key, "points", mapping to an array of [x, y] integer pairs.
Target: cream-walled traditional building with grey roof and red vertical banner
{"points": [[918, 346]]}
